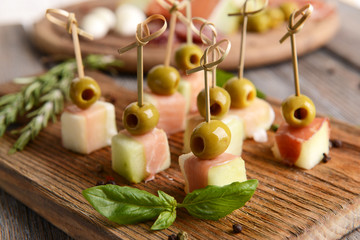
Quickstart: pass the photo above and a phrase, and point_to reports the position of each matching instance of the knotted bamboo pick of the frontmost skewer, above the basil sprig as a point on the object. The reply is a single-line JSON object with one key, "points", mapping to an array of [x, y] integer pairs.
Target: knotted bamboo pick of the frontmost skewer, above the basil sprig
{"points": [[208, 66]]}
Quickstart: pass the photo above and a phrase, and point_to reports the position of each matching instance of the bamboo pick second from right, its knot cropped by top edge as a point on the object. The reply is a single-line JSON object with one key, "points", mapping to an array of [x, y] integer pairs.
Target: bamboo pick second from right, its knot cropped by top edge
{"points": [[245, 14]]}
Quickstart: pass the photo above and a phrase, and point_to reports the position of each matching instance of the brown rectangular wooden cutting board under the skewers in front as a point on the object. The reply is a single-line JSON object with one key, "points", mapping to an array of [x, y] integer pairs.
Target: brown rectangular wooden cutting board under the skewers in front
{"points": [[290, 203]]}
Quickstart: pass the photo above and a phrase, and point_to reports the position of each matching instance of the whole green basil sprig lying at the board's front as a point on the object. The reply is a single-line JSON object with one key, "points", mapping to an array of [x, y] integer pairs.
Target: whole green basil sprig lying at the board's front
{"points": [[126, 205]]}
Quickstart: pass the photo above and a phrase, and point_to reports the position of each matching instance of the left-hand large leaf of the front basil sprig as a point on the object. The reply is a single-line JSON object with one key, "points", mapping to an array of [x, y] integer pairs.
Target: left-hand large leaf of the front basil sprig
{"points": [[125, 205]]}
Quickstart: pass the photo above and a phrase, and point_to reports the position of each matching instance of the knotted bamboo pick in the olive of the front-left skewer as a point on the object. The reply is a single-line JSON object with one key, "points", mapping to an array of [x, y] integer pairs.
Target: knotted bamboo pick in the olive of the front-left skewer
{"points": [[143, 36]]}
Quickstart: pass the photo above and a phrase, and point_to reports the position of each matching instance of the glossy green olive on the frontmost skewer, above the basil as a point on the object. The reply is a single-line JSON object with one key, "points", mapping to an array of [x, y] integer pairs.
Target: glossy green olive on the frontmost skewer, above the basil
{"points": [[210, 139]]}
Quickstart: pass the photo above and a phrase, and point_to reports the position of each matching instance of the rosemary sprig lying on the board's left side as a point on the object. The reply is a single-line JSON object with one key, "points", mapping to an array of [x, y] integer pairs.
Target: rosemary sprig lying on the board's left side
{"points": [[43, 97]]}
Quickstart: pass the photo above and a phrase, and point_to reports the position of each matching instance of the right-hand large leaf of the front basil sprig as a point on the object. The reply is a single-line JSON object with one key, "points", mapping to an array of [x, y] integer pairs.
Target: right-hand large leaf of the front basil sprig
{"points": [[214, 202]]}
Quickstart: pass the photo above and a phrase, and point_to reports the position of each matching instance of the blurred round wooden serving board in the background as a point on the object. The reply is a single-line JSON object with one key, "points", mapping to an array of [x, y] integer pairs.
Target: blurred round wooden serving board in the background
{"points": [[261, 49]]}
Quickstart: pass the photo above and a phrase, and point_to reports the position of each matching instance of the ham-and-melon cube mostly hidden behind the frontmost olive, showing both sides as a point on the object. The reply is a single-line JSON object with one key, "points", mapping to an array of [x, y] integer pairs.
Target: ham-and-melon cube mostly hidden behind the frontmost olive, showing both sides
{"points": [[235, 125]]}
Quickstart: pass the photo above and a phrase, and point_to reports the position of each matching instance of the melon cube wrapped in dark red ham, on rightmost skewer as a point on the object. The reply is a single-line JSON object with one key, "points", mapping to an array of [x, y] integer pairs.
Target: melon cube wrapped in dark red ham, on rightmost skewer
{"points": [[302, 147]]}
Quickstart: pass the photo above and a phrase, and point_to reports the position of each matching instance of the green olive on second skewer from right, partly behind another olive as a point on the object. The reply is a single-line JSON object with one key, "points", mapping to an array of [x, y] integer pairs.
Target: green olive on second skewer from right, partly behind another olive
{"points": [[242, 92]]}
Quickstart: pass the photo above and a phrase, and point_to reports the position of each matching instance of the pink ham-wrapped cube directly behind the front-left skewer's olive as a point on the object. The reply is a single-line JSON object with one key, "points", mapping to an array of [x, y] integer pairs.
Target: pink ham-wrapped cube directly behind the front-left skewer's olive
{"points": [[172, 110]]}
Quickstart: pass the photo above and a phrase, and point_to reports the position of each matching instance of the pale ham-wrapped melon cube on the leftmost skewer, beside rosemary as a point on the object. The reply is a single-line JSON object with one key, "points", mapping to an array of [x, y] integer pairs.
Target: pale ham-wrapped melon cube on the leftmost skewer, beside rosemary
{"points": [[84, 131]]}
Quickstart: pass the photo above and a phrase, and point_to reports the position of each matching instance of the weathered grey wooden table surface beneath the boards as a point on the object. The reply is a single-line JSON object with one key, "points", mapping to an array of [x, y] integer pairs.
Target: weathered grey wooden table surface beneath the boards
{"points": [[330, 76]]}
